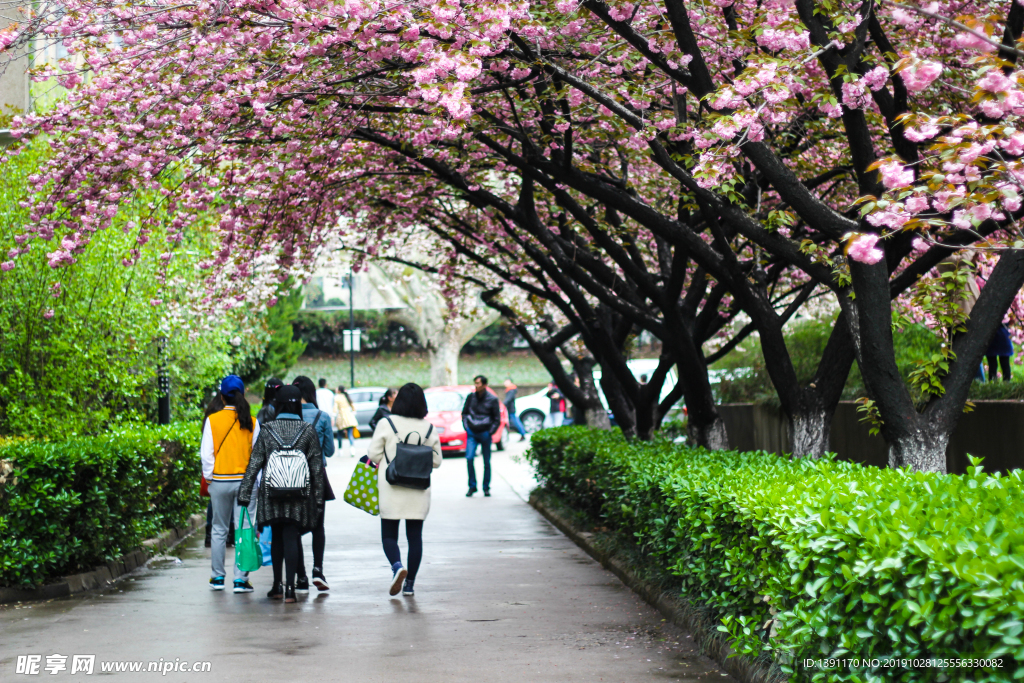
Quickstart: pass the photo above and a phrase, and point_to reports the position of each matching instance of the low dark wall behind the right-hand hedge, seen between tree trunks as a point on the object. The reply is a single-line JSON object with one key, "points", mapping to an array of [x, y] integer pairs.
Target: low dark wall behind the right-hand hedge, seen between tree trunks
{"points": [[995, 431]]}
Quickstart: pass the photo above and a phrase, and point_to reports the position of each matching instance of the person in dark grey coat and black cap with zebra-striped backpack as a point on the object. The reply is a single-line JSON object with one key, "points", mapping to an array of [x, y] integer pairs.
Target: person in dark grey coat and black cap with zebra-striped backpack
{"points": [[288, 517]]}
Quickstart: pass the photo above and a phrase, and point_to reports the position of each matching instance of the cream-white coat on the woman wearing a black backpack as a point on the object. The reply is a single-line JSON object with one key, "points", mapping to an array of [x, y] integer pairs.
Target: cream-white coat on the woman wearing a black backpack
{"points": [[400, 502]]}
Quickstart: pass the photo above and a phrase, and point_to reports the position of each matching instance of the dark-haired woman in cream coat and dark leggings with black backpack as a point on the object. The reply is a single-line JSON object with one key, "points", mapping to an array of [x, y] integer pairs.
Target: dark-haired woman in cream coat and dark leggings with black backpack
{"points": [[399, 503]]}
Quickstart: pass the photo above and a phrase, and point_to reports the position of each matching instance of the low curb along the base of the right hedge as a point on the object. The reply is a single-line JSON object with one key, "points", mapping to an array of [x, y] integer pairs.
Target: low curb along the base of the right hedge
{"points": [[676, 610]]}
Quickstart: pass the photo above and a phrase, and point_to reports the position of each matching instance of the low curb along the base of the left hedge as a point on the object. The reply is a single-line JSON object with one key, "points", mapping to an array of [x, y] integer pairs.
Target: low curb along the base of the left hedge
{"points": [[108, 574]]}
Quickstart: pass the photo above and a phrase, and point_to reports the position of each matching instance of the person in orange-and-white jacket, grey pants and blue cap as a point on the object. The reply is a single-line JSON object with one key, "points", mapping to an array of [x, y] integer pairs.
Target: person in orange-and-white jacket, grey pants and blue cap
{"points": [[229, 436]]}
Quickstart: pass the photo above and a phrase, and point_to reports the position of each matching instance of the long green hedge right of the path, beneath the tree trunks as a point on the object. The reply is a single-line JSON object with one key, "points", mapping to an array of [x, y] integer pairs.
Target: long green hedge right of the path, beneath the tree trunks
{"points": [[808, 560]]}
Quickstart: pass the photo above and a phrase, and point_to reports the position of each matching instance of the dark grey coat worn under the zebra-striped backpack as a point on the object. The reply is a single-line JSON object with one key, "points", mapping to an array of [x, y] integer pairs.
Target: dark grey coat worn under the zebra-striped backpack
{"points": [[289, 429]]}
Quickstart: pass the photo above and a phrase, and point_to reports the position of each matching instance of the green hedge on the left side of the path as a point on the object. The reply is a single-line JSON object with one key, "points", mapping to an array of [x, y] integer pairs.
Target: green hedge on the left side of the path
{"points": [[69, 506]]}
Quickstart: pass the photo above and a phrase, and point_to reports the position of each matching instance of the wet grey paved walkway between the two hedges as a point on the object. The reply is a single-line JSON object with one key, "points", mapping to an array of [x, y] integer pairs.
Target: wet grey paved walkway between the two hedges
{"points": [[502, 596]]}
